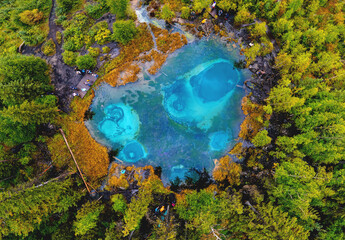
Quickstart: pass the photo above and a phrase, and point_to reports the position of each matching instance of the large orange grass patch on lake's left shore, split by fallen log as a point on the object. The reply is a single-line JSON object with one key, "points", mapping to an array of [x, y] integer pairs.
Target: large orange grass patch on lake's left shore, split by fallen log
{"points": [[90, 155]]}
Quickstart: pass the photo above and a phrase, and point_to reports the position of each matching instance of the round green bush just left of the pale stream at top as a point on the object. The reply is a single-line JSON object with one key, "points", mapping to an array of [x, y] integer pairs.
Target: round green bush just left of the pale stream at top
{"points": [[124, 31]]}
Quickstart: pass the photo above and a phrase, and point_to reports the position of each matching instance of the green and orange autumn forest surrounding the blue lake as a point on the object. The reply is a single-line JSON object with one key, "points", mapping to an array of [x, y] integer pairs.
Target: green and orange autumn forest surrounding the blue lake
{"points": [[284, 179]]}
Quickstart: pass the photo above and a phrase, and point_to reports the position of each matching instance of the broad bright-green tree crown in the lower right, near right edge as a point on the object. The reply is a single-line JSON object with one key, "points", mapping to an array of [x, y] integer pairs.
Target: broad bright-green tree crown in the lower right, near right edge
{"points": [[298, 188]]}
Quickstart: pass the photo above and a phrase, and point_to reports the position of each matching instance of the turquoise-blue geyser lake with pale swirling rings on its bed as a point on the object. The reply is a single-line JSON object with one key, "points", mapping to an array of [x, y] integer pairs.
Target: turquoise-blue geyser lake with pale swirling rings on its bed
{"points": [[184, 117]]}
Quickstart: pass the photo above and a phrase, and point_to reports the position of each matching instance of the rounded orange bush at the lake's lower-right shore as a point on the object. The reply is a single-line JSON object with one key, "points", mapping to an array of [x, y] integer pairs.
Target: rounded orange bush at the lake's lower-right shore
{"points": [[226, 169]]}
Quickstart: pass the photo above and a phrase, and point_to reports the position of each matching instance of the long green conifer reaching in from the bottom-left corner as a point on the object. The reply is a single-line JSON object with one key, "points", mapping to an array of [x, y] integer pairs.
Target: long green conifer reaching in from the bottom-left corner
{"points": [[24, 209]]}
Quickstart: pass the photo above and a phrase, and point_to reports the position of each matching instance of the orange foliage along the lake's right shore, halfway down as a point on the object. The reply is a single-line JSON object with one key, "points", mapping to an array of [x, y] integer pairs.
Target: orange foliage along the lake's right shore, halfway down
{"points": [[254, 120]]}
